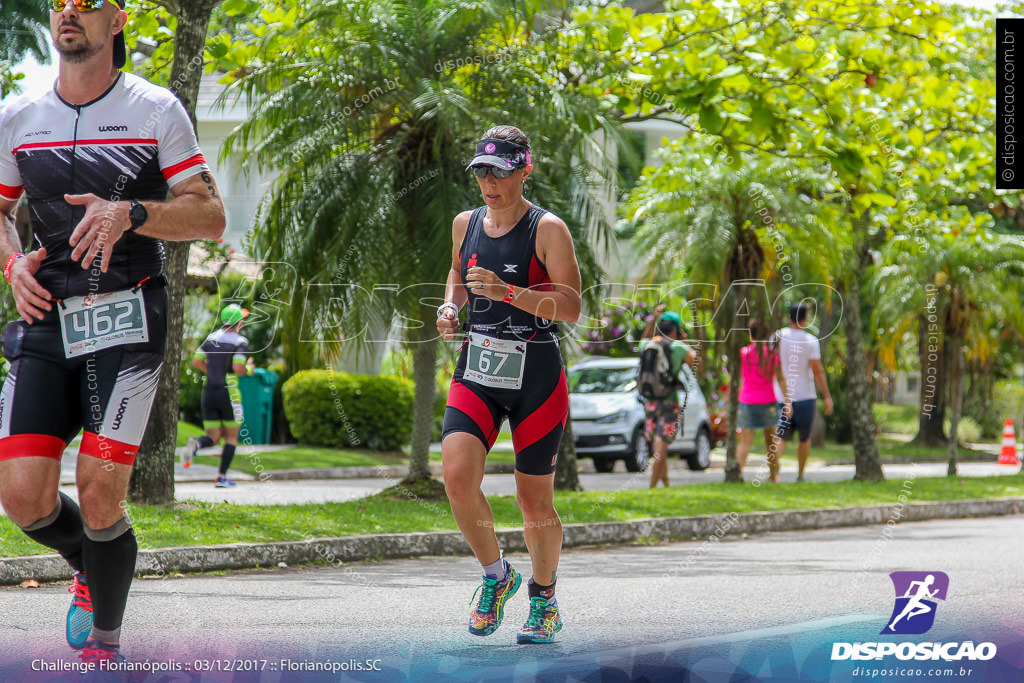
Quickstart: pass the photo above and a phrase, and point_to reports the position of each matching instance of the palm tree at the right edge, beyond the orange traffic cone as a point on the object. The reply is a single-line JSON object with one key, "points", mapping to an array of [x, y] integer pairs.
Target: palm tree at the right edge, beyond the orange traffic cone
{"points": [[965, 284]]}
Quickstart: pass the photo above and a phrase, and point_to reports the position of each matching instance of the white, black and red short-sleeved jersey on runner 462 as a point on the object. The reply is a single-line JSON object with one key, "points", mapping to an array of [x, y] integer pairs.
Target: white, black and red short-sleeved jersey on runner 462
{"points": [[133, 143]]}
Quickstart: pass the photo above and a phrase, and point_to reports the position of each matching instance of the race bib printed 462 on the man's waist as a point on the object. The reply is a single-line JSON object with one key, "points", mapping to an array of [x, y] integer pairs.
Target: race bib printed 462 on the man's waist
{"points": [[98, 322]]}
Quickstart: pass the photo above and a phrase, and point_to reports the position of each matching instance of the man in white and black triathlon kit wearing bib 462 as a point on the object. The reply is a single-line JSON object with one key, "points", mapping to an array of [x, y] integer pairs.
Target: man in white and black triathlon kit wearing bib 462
{"points": [[95, 157]]}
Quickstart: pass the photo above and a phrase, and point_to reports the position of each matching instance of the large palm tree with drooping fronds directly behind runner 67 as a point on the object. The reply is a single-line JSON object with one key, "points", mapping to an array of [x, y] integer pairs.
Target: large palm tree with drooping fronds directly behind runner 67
{"points": [[371, 117]]}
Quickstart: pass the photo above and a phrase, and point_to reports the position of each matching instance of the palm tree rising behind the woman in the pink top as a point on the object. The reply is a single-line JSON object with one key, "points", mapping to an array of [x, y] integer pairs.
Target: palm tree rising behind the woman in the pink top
{"points": [[732, 228]]}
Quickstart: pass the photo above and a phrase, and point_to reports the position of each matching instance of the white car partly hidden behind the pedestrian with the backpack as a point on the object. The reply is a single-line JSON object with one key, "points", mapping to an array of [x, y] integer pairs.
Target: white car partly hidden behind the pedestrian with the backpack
{"points": [[609, 416]]}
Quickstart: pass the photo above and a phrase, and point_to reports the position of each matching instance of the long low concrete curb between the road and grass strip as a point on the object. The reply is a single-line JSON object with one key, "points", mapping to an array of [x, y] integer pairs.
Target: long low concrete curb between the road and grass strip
{"points": [[394, 546]]}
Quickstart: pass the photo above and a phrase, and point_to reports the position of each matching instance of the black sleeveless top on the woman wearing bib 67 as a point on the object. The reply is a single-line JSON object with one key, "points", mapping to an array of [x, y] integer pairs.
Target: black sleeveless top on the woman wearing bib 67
{"points": [[514, 259]]}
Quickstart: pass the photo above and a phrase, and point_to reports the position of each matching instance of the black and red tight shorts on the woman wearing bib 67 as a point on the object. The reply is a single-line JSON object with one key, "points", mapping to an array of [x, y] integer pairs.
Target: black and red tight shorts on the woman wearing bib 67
{"points": [[537, 412]]}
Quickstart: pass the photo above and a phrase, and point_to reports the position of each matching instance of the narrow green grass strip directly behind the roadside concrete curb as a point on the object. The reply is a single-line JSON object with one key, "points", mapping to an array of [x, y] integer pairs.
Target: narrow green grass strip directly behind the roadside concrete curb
{"points": [[392, 511]]}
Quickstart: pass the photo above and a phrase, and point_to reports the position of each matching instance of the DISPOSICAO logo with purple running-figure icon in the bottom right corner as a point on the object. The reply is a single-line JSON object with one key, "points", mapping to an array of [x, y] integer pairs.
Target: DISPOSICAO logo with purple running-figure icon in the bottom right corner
{"points": [[918, 596]]}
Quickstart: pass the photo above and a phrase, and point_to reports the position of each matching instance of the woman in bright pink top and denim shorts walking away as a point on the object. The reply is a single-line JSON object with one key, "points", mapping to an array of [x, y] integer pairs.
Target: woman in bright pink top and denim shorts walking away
{"points": [[758, 409]]}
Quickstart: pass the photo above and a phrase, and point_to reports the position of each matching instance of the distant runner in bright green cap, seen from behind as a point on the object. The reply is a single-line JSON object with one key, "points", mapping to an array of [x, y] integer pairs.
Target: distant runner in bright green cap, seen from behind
{"points": [[223, 358]]}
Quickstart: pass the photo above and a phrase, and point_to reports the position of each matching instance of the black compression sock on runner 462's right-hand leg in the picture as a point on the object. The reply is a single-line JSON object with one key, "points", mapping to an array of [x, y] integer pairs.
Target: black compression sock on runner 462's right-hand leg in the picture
{"points": [[110, 564]]}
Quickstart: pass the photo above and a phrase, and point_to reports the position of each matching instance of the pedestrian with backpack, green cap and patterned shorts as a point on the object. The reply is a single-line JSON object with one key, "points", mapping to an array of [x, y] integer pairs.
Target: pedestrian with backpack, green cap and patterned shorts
{"points": [[662, 358]]}
